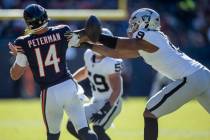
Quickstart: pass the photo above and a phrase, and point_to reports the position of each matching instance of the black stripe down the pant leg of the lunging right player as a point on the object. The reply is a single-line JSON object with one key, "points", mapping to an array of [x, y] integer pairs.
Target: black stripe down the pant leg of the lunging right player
{"points": [[166, 96]]}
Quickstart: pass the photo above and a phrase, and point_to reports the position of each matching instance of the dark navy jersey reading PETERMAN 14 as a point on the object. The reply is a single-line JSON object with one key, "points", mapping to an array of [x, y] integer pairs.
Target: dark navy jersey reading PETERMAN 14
{"points": [[46, 54]]}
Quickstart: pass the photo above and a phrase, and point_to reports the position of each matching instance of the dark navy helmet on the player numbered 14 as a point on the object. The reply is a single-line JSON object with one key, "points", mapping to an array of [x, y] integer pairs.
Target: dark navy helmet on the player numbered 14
{"points": [[35, 16]]}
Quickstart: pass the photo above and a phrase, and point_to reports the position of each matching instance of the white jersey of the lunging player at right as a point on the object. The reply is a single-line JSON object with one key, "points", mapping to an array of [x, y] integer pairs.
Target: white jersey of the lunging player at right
{"points": [[167, 60]]}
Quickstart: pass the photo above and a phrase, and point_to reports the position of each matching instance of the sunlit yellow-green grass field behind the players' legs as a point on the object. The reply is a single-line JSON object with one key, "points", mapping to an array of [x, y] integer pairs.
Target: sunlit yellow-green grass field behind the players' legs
{"points": [[22, 120]]}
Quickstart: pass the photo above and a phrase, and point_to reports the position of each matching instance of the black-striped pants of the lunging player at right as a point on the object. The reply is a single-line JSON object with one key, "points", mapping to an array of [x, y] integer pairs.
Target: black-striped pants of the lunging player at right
{"points": [[179, 92]]}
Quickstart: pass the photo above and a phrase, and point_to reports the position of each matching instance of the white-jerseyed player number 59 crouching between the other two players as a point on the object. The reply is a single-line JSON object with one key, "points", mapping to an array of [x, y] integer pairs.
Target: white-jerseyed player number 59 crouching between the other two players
{"points": [[104, 74]]}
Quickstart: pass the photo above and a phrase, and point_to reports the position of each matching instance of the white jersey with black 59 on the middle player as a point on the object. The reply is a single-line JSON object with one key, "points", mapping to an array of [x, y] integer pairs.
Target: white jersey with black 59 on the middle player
{"points": [[98, 73]]}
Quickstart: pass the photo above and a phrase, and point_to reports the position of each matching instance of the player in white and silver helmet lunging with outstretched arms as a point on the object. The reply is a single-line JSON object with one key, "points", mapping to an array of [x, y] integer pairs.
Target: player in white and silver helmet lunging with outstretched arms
{"points": [[191, 79]]}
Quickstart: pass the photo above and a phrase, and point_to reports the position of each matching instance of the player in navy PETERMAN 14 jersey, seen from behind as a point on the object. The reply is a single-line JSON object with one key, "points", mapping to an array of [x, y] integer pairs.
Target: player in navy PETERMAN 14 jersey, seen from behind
{"points": [[44, 50]]}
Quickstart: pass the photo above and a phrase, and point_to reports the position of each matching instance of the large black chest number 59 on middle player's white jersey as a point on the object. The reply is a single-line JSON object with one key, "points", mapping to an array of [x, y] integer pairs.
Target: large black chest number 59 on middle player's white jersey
{"points": [[99, 83]]}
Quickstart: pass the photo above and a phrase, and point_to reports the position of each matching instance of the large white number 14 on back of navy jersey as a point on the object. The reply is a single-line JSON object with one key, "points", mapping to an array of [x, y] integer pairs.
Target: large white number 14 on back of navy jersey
{"points": [[51, 59]]}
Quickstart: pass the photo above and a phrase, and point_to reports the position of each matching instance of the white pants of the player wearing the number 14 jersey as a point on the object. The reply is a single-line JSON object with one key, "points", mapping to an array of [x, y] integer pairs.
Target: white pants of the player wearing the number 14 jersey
{"points": [[59, 98]]}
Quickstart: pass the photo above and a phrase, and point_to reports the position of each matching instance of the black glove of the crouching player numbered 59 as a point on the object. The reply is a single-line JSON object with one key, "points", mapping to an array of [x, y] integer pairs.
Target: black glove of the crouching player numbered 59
{"points": [[101, 113]]}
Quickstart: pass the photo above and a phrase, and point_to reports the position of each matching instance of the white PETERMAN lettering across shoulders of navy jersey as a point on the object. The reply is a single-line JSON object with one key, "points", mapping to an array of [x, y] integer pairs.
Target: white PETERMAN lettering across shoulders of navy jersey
{"points": [[44, 40]]}
